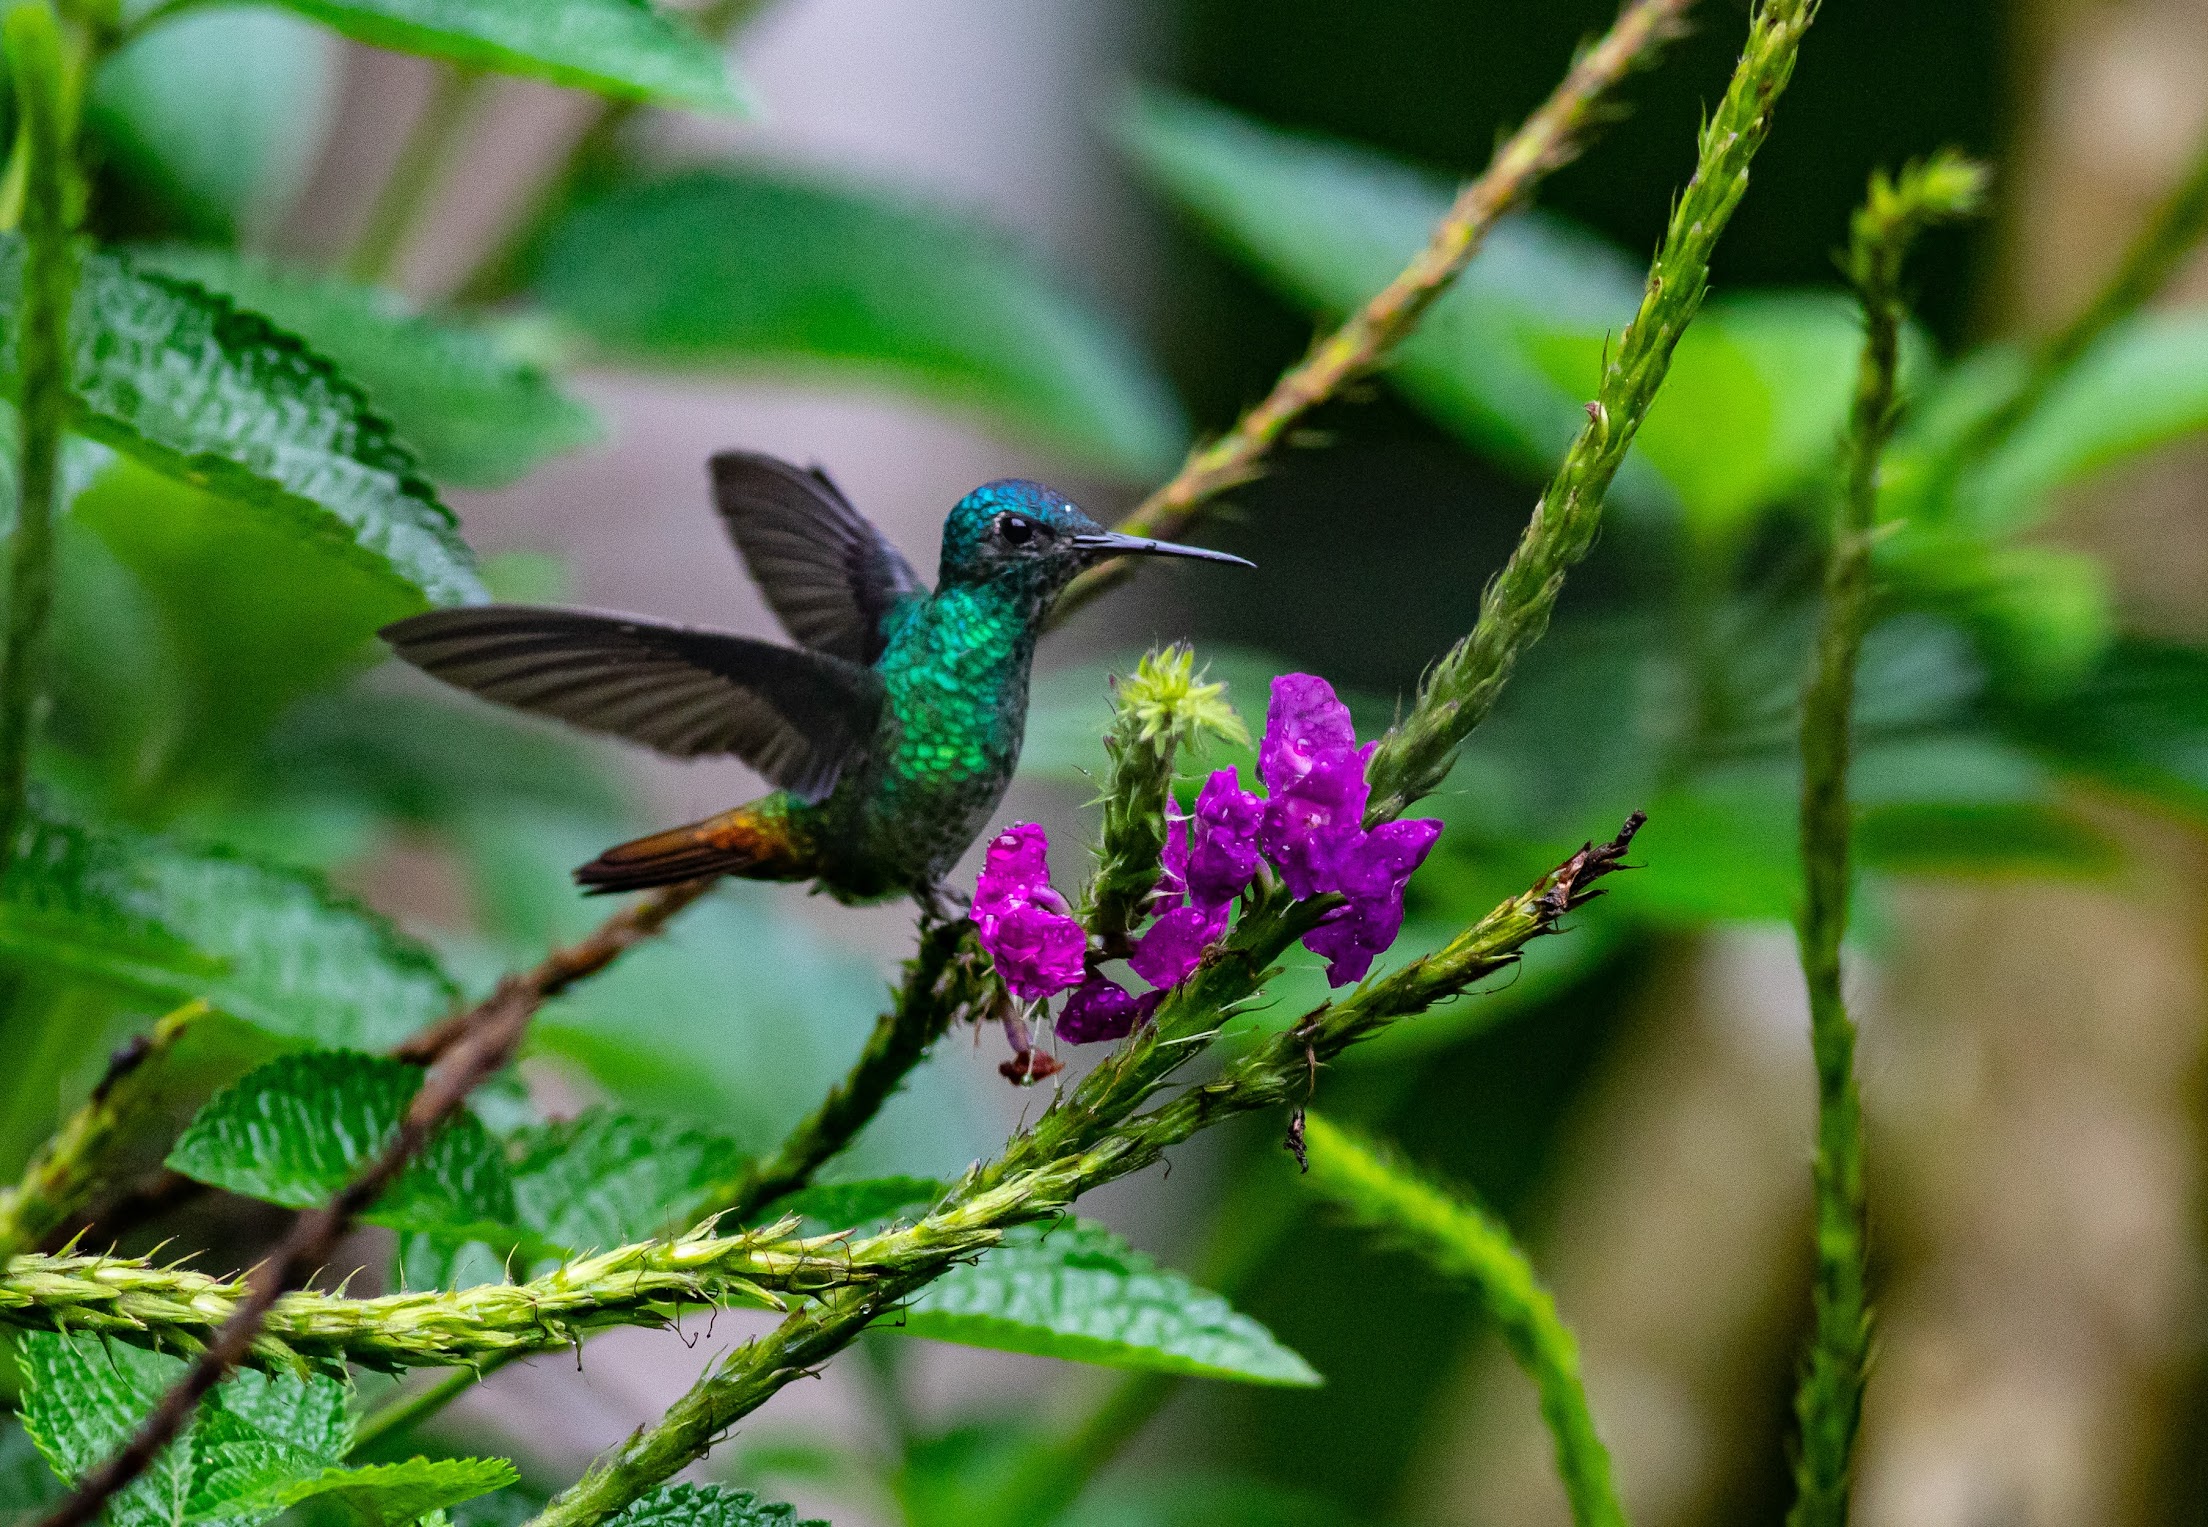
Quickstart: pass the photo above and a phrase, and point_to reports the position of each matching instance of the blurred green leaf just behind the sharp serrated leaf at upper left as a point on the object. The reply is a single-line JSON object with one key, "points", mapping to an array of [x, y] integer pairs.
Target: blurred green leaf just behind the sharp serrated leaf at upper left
{"points": [[480, 414]]}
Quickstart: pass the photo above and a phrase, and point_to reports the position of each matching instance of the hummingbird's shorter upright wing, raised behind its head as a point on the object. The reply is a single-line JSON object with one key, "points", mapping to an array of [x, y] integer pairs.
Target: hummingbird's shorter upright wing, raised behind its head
{"points": [[822, 566]]}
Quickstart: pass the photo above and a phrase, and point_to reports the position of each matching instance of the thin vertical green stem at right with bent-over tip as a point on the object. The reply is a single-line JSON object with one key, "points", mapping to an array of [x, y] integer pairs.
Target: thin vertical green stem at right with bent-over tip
{"points": [[1829, 1400]]}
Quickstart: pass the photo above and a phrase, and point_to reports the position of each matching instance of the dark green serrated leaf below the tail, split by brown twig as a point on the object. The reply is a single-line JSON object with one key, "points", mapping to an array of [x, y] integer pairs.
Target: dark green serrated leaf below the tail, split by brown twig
{"points": [[304, 1126]]}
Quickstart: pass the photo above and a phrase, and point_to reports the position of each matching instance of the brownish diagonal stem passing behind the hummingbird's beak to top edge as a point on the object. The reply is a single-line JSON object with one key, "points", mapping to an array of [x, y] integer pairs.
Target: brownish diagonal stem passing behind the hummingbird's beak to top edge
{"points": [[1551, 138]]}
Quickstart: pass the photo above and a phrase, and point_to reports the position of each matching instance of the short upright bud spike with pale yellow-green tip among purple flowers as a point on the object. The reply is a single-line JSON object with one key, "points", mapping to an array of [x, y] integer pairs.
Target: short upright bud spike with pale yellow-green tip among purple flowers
{"points": [[1165, 707]]}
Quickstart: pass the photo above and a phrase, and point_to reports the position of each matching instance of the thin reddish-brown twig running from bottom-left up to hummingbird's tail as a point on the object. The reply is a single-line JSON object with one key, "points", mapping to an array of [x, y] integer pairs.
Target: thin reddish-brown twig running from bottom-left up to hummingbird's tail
{"points": [[469, 1049]]}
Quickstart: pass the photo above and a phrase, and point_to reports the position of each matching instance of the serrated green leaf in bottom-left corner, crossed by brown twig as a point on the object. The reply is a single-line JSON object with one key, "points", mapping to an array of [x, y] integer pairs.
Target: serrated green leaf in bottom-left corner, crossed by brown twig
{"points": [[85, 1400]]}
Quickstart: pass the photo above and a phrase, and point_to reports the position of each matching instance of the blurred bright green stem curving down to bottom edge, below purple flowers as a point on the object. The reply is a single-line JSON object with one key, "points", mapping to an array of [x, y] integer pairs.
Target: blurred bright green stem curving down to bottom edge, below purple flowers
{"points": [[1465, 1241]]}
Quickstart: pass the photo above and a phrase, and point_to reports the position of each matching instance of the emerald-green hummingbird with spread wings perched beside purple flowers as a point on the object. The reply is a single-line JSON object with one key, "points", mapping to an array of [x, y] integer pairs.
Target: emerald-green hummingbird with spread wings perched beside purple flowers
{"points": [[891, 729]]}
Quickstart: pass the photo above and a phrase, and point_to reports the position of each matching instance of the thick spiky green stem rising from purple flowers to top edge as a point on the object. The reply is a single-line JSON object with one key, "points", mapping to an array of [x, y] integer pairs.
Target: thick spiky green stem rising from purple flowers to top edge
{"points": [[1514, 612]]}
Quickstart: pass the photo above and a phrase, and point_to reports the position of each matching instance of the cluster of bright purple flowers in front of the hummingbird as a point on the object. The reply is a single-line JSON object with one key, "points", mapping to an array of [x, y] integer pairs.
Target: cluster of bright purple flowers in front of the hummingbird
{"points": [[1310, 824]]}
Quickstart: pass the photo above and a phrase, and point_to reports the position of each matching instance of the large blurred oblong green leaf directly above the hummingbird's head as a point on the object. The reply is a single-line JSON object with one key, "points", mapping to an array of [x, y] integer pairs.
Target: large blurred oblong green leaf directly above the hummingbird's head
{"points": [[752, 268]]}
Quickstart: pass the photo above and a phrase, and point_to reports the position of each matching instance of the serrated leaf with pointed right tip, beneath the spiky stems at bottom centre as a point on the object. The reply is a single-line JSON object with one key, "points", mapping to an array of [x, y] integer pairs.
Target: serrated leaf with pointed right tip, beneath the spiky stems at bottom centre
{"points": [[1079, 1292]]}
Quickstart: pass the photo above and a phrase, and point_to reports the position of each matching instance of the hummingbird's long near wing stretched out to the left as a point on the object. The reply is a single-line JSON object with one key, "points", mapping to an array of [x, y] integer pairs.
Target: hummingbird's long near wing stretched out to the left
{"points": [[798, 718]]}
